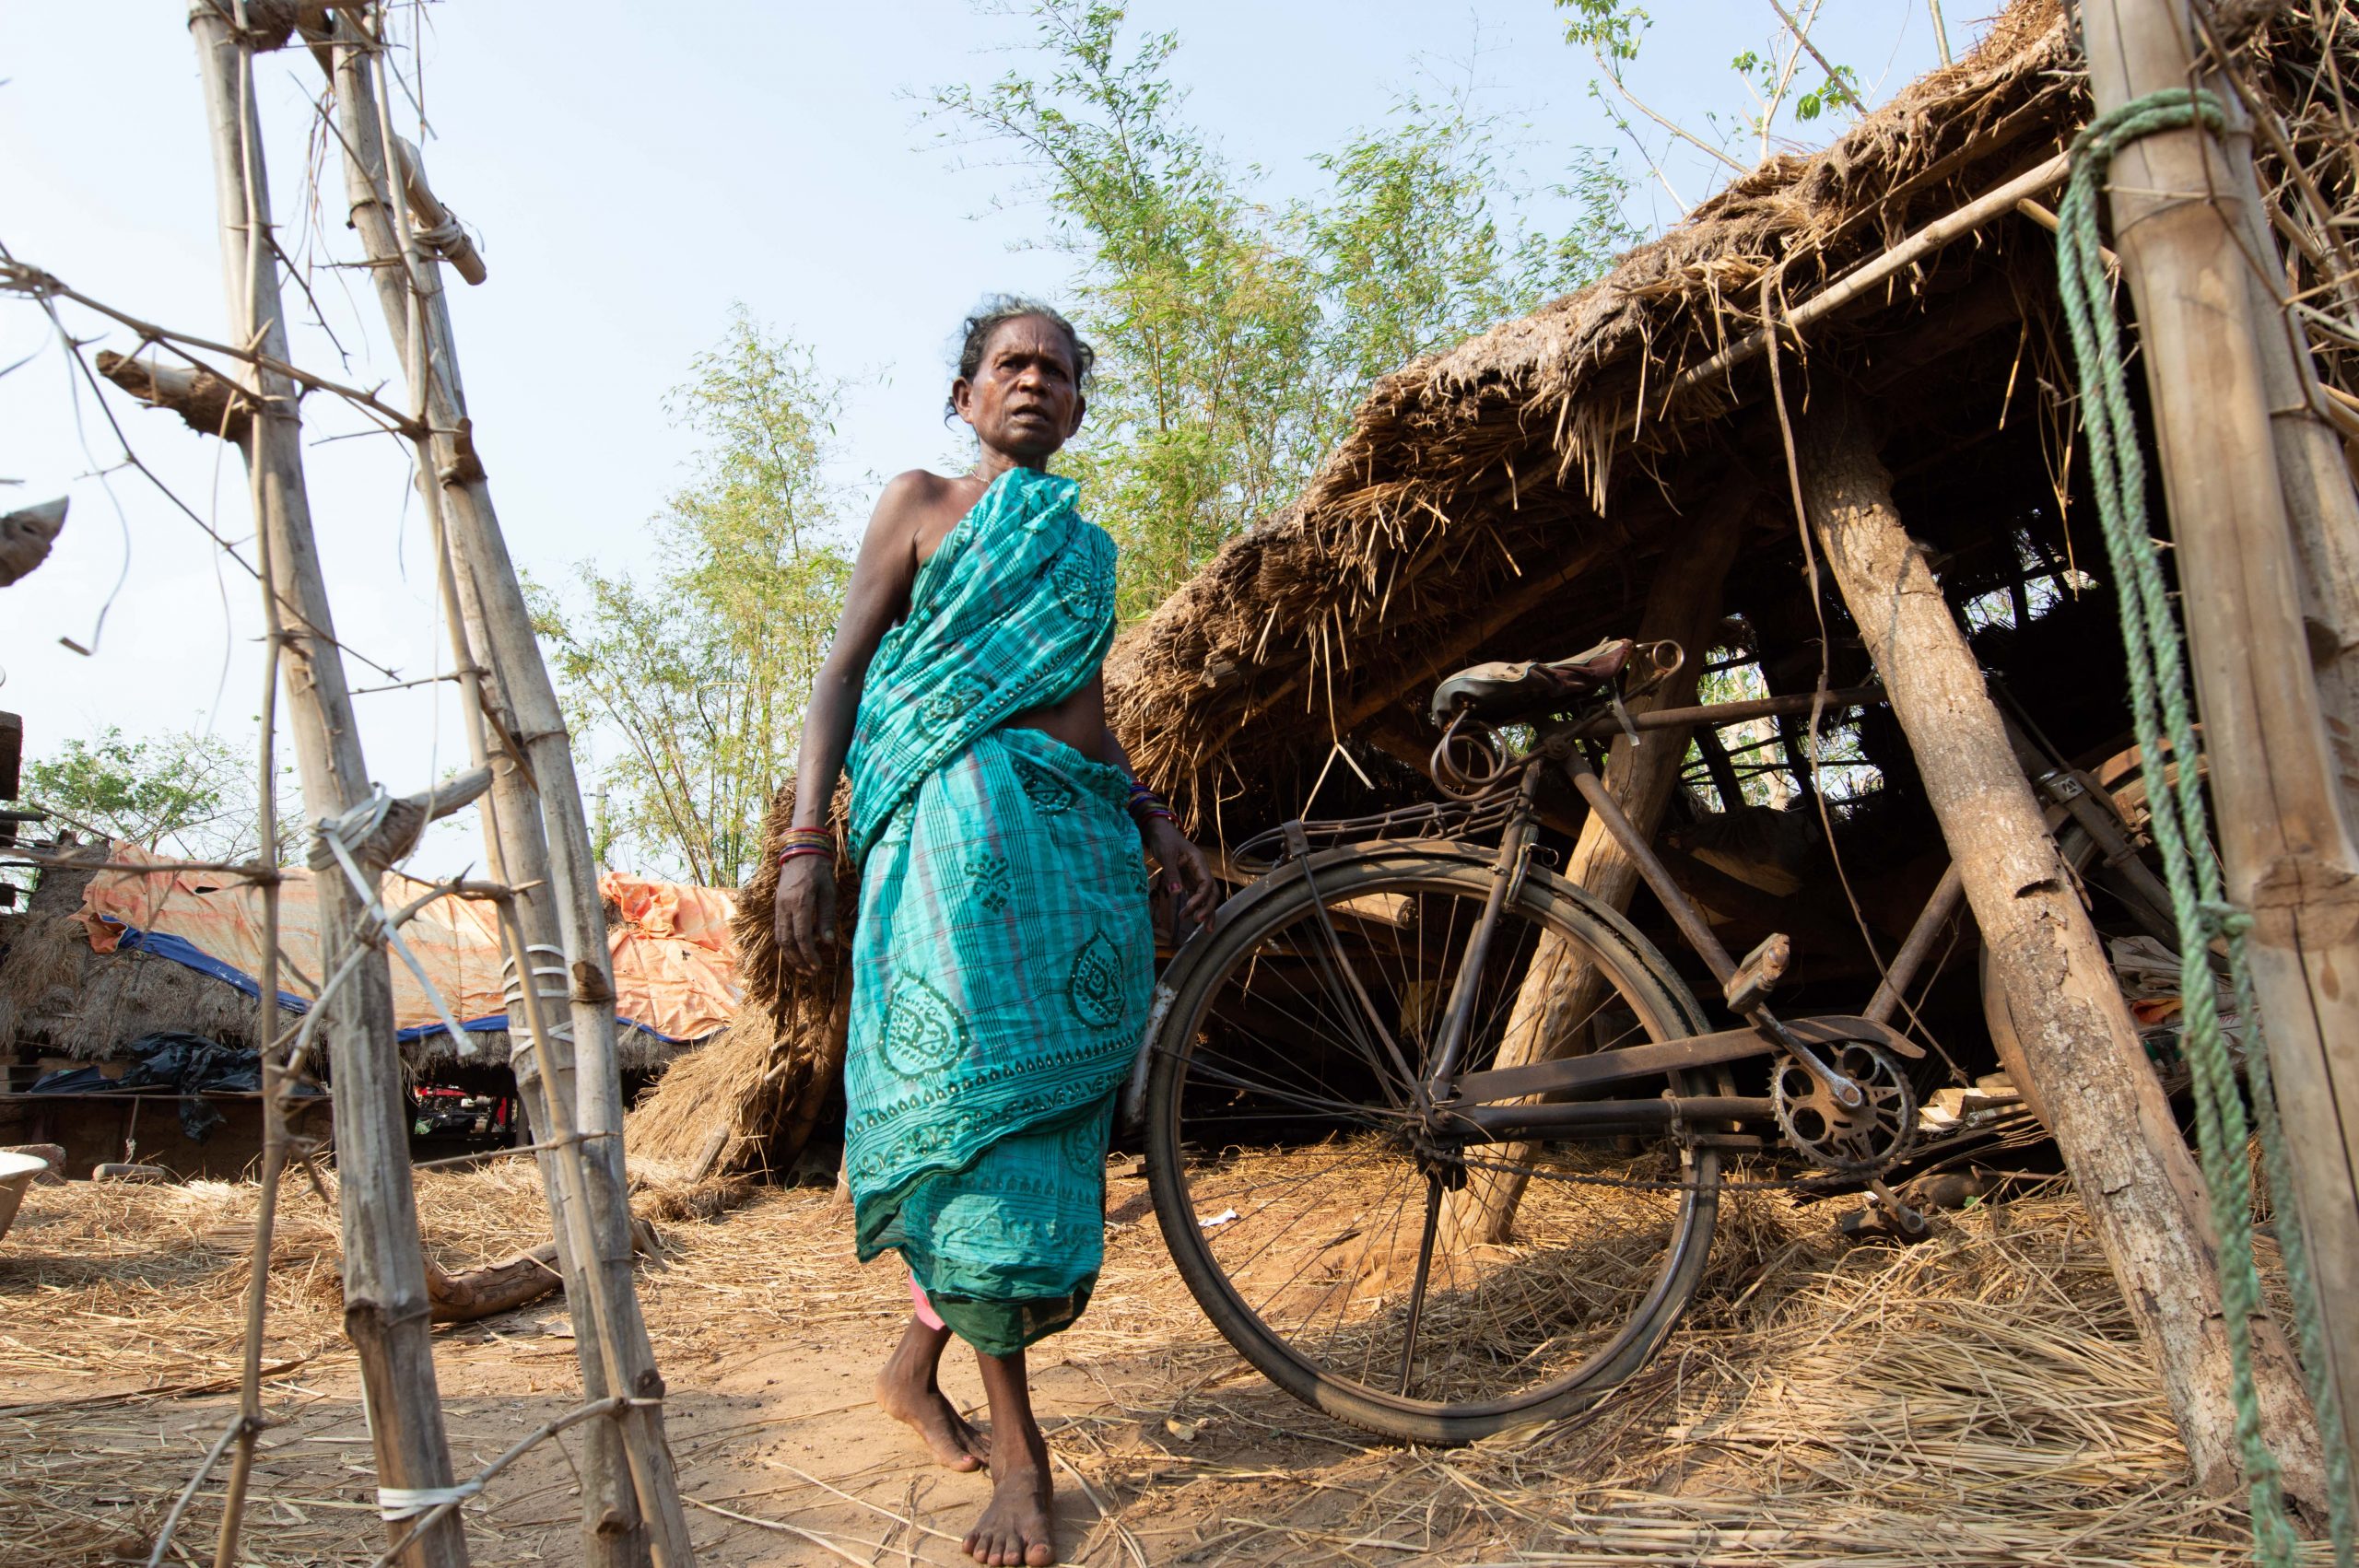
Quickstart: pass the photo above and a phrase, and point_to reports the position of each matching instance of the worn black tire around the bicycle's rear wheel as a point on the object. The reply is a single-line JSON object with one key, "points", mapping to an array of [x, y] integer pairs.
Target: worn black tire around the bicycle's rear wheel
{"points": [[1636, 975]]}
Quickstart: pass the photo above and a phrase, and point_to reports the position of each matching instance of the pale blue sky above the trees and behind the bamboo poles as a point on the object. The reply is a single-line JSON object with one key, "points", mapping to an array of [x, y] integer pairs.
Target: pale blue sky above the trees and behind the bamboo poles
{"points": [[633, 171]]}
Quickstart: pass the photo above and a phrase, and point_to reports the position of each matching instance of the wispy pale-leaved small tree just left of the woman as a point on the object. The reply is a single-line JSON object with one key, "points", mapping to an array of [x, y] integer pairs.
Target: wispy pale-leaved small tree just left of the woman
{"points": [[702, 676]]}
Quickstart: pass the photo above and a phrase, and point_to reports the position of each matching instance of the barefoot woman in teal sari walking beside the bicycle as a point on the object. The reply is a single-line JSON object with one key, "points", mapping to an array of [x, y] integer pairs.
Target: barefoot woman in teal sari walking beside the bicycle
{"points": [[1004, 958]]}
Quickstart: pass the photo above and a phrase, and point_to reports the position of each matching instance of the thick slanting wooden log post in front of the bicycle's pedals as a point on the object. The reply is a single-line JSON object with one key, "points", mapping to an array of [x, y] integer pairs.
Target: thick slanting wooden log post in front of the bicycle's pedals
{"points": [[2091, 1074]]}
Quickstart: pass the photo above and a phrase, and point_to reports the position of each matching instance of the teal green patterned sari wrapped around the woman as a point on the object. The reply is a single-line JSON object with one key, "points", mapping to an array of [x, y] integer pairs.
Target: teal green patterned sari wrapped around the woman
{"points": [[1004, 958]]}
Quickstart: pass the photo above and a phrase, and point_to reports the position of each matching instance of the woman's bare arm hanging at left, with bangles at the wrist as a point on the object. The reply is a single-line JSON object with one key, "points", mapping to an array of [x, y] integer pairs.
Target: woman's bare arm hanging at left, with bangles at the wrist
{"points": [[874, 600]]}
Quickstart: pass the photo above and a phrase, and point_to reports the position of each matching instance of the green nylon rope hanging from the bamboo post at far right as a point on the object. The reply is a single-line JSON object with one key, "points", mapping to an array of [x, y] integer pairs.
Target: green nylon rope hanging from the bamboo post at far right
{"points": [[2167, 720]]}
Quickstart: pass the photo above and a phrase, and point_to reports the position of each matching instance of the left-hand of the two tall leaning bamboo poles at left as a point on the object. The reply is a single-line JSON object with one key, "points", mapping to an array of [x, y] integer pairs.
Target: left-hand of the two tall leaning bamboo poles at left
{"points": [[386, 1293]]}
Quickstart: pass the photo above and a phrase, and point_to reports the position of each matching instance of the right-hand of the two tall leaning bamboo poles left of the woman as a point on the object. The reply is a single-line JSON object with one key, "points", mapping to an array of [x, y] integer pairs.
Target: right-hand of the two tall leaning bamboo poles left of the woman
{"points": [[541, 838]]}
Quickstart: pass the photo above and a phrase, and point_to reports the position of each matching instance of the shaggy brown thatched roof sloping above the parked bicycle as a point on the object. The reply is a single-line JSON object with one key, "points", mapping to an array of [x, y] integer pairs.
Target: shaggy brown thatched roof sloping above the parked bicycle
{"points": [[1546, 449]]}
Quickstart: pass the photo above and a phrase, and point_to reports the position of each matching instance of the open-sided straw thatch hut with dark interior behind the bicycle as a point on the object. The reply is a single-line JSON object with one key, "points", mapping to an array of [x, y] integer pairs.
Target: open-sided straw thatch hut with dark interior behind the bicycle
{"points": [[1617, 463]]}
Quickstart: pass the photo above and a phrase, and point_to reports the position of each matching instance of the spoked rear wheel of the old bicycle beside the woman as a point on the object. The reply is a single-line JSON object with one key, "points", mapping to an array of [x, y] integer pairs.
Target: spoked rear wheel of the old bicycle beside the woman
{"points": [[1325, 1237]]}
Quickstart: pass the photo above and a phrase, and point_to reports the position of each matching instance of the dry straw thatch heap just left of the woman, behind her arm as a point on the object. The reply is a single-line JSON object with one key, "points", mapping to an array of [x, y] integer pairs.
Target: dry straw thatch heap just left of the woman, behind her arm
{"points": [[749, 1100]]}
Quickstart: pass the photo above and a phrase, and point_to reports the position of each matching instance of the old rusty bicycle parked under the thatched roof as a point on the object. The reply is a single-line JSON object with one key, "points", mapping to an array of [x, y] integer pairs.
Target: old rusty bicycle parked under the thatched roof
{"points": [[1322, 1076]]}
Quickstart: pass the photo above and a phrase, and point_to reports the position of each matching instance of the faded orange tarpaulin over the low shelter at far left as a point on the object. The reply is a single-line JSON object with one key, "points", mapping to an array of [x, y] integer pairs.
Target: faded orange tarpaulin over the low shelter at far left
{"points": [[673, 961]]}
